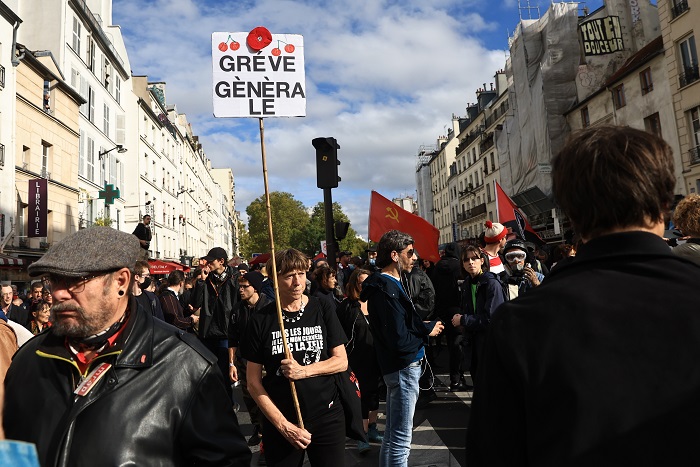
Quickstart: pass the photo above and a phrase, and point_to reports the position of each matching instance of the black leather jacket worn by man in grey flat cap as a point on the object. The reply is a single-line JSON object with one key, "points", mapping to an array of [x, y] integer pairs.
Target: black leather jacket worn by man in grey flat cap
{"points": [[163, 402]]}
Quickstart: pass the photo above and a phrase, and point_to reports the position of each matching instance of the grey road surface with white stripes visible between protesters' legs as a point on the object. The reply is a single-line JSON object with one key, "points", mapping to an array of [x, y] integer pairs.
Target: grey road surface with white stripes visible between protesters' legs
{"points": [[438, 435]]}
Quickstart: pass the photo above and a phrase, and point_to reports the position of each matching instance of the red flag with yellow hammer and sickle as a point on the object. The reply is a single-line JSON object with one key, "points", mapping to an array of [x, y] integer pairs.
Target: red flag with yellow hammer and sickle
{"points": [[385, 215]]}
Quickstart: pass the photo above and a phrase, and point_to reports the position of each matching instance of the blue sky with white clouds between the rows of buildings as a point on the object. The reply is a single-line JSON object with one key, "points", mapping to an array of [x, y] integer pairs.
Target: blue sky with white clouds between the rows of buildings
{"points": [[382, 77]]}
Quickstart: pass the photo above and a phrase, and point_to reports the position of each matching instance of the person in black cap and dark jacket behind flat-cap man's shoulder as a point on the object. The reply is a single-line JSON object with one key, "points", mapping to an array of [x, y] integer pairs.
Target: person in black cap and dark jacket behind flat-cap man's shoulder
{"points": [[220, 296]]}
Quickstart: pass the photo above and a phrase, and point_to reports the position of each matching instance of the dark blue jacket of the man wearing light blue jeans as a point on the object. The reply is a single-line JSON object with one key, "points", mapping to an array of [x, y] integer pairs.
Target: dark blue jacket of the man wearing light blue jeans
{"points": [[397, 328]]}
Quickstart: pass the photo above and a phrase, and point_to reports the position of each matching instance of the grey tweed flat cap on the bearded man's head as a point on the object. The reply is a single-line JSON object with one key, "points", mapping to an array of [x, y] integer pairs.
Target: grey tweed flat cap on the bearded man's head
{"points": [[88, 251]]}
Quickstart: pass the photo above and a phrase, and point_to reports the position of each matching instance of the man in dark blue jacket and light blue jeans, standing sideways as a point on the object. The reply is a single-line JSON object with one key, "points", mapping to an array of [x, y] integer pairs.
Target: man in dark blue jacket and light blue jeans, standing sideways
{"points": [[399, 334]]}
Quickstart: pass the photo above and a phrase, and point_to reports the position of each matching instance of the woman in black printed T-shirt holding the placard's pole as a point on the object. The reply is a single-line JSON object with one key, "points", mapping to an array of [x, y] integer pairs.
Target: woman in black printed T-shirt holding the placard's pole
{"points": [[316, 342]]}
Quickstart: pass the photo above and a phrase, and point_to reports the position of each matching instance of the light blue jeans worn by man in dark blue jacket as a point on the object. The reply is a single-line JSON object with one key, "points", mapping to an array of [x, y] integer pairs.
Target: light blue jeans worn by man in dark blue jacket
{"points": [[401, 397]]}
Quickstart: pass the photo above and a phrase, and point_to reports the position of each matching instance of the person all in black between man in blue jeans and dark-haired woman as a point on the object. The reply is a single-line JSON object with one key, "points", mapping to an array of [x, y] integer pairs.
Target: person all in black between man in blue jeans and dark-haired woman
{"points": [[446, 277]]}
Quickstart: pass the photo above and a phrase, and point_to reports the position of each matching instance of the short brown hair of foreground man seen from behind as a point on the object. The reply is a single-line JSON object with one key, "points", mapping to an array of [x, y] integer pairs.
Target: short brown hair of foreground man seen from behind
{"points": [[609, 176]]}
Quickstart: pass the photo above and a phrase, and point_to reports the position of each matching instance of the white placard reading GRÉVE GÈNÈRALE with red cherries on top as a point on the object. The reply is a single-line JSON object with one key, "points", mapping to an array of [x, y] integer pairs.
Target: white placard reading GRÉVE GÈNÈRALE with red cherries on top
{"points": [[258, 74]]}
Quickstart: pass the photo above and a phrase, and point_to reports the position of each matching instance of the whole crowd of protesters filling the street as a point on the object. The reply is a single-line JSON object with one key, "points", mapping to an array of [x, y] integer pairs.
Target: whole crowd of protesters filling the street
{"points": [[489, 302]]}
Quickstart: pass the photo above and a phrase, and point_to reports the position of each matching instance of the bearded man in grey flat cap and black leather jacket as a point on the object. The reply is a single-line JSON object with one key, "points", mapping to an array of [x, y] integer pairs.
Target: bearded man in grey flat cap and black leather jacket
{"points": [[108, 384]]}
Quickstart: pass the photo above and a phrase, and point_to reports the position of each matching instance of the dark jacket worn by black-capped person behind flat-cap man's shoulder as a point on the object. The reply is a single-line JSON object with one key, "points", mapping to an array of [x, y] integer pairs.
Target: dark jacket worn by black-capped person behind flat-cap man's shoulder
{"points": [[219, 299]]}
